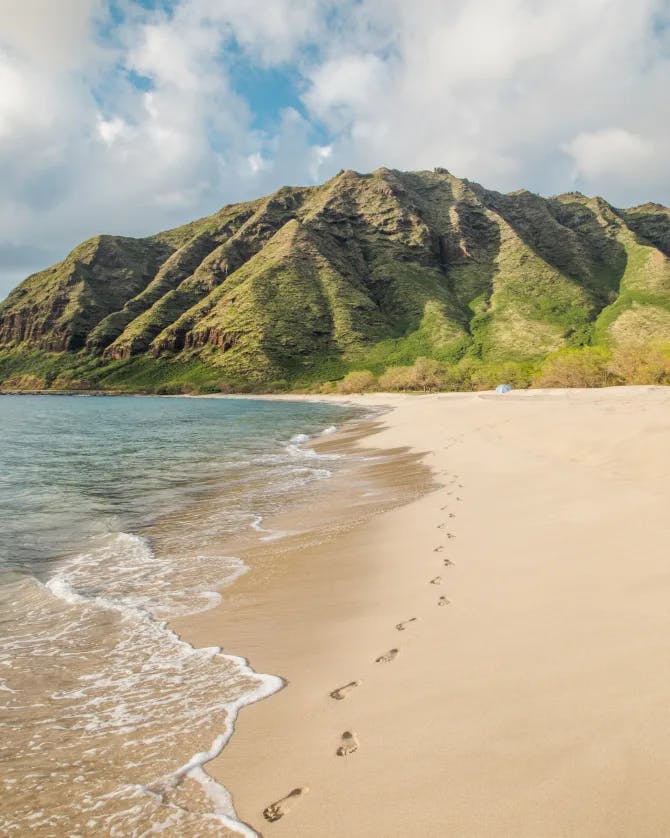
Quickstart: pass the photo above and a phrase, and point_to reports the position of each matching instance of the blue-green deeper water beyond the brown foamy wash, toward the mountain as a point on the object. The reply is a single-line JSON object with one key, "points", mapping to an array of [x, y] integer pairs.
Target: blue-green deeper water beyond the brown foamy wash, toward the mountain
{"points": [[75, 467]]}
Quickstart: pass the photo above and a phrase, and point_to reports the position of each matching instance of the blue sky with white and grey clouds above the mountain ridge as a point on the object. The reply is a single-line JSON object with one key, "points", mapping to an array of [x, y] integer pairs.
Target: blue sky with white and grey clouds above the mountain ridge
{"points": [[130, 117]]}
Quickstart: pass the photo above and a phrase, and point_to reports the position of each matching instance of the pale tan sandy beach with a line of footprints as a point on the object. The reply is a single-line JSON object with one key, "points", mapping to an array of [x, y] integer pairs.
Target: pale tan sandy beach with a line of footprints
{"points": [[500, 644]]}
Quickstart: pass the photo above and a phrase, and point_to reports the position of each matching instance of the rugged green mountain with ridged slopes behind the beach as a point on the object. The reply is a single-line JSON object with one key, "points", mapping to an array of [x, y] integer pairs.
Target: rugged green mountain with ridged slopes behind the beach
{"points": [[363, 272]]}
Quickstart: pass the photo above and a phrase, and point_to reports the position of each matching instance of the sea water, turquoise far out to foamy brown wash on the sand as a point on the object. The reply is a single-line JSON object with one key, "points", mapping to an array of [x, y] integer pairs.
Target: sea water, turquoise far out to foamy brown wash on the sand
{"points": [[112, 513]]}
